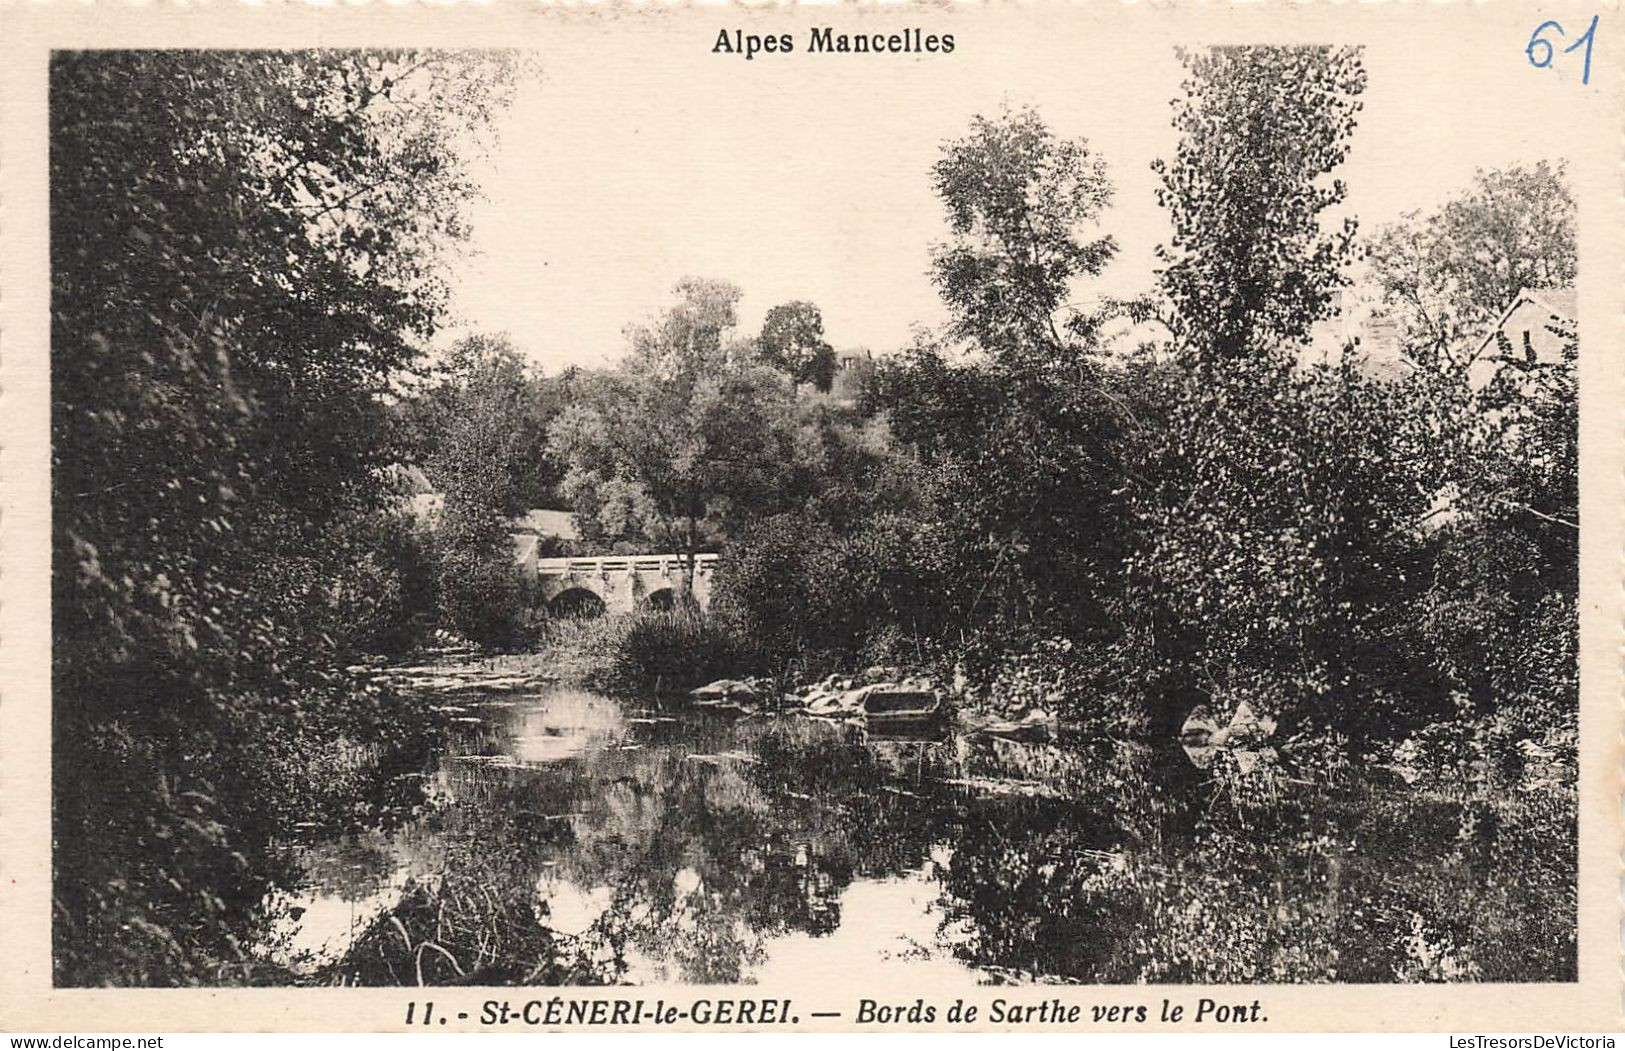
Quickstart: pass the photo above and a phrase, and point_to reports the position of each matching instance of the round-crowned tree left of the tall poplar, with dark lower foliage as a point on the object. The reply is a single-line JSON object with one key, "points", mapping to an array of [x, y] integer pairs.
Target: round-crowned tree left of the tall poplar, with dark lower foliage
{"points": [[1020, 441]]}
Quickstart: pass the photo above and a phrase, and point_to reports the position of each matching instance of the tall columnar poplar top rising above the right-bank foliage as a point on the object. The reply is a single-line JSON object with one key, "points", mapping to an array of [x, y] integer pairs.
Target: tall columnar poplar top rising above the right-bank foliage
{"points": [[1250, 270]]}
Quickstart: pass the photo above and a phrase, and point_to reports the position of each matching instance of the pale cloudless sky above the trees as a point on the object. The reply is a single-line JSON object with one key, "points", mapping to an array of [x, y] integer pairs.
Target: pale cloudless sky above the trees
{"points": [[623, 170]]}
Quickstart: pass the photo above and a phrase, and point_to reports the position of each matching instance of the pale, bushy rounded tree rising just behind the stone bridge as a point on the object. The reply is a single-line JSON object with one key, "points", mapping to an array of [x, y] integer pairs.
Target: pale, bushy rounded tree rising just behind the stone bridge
{"points": [[682, 441]]}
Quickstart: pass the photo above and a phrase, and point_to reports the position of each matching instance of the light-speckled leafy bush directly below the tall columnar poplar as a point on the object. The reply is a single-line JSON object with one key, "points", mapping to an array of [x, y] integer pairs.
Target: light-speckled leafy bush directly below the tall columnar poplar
{"points": [[1276, 545]]}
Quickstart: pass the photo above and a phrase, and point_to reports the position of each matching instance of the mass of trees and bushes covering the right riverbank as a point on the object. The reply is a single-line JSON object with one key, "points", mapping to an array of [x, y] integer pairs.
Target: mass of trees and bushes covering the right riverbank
{"points": [[1226, 509]]}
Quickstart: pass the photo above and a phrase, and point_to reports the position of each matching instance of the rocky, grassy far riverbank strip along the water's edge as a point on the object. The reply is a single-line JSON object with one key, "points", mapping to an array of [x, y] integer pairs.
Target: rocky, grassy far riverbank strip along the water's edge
{"points": [[1042, 694]]}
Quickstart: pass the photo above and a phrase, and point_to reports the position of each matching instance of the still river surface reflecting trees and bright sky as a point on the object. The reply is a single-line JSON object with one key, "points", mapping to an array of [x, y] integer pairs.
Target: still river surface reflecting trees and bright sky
{"points": [[576, 839]]}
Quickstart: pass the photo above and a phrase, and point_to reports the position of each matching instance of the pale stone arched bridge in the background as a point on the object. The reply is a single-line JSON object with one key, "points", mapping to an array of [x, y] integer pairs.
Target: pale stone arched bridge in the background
{"points": [[617, 584]]}
